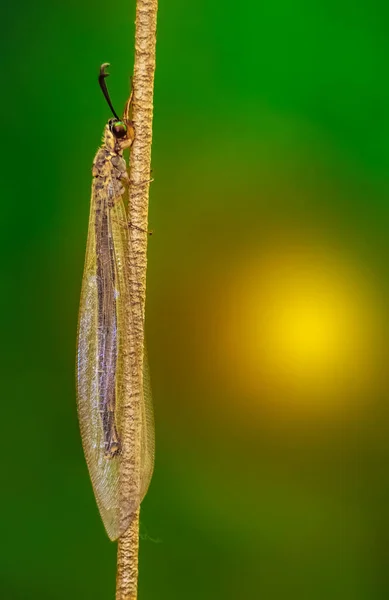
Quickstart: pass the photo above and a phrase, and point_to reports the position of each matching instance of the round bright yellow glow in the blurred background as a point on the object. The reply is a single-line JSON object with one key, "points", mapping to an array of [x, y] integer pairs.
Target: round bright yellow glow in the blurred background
{"points": [[302, 326]]}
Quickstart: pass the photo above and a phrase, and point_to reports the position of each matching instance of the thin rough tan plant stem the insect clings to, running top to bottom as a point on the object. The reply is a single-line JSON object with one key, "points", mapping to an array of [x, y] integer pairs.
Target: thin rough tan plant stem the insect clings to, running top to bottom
{"points": [[140, 161]]}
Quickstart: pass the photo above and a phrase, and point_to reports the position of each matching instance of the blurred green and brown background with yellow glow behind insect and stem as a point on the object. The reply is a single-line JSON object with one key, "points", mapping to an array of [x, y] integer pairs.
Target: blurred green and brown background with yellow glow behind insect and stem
{"points": [[267, 320]]}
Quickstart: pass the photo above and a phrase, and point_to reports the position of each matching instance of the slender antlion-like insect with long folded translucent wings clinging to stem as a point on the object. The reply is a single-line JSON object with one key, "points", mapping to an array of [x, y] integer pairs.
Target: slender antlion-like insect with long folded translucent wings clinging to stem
{"points": [[105, 310]]}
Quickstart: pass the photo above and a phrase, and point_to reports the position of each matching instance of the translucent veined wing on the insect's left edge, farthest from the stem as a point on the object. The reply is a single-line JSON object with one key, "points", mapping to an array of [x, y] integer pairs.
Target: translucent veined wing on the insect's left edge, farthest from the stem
{"points": [[92, 360]]}
